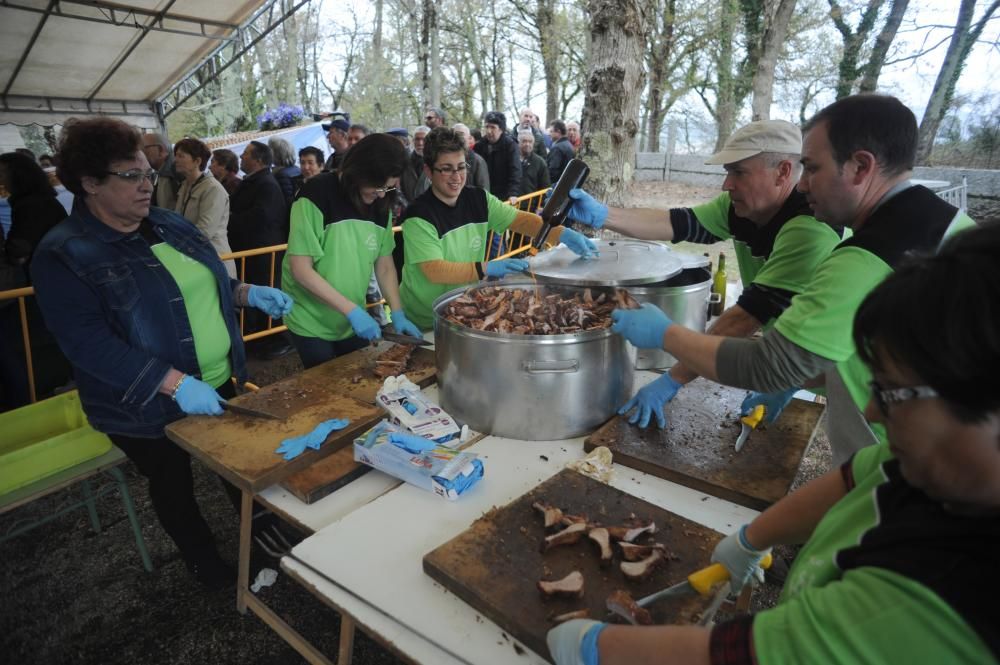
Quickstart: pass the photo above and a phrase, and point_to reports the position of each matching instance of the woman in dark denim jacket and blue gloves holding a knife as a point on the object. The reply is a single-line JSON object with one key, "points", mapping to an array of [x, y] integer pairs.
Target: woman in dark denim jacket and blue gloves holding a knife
{"points": [[144, 310]]}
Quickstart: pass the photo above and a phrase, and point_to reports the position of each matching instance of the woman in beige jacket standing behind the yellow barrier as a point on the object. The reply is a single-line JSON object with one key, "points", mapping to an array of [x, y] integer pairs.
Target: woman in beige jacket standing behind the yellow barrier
{"points": [[202, 200]]}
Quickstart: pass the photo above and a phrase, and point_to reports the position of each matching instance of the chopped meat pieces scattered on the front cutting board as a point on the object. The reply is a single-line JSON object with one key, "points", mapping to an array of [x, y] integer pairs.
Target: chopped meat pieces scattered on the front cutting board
{"points": [[638, 561]]}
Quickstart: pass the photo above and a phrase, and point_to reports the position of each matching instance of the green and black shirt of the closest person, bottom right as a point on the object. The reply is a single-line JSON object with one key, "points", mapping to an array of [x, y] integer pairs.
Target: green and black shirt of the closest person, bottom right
{"points": [[858, 594]]}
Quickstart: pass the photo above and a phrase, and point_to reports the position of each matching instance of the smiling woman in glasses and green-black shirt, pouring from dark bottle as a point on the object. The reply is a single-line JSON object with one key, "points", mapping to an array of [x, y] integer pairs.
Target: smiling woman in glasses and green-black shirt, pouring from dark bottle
{"points": [[445, 230]]}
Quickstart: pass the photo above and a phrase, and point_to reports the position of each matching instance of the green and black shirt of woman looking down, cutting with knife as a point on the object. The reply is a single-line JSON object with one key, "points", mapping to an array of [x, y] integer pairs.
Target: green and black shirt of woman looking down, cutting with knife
{"points": [[326, 227]]}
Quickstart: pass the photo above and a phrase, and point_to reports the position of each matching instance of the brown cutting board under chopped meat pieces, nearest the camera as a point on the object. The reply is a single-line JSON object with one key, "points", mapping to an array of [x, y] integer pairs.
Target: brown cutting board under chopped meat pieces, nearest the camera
{"points": [[495, 564]]}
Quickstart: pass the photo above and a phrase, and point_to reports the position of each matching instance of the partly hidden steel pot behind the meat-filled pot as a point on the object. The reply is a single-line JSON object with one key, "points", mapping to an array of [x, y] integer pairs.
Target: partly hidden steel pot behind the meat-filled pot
{"points": [[685, 300]]}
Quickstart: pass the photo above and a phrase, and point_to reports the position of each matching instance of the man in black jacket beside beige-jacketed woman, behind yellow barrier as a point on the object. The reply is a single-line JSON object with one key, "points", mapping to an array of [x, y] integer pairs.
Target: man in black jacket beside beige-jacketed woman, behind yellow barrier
{"points": [[257, 216]]}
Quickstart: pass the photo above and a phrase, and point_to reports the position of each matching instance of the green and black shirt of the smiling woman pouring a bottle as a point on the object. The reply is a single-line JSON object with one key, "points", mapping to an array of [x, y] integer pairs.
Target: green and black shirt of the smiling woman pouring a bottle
{"points": [[433, 230]]}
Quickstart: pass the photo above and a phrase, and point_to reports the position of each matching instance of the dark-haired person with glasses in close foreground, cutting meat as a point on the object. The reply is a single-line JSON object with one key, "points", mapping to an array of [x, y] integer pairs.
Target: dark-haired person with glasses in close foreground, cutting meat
{"points": [[901, 542]]}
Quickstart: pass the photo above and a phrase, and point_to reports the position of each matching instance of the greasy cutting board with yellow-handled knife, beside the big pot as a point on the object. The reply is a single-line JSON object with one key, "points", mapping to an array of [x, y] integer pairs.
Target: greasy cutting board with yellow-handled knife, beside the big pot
{"points": [[697, 447]]}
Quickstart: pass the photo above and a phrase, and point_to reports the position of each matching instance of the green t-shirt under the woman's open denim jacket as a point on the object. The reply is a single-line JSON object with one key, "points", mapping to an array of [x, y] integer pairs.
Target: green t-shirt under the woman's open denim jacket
{"points": [[201, 301]]}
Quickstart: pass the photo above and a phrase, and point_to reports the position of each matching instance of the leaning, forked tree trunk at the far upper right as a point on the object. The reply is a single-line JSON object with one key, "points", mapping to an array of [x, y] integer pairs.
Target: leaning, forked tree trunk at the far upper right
{"points": [[962, 41]]}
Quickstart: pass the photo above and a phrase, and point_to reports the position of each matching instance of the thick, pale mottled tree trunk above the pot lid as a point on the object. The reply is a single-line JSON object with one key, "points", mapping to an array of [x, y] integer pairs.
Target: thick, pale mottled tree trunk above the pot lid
{"points": [[615, 79]]}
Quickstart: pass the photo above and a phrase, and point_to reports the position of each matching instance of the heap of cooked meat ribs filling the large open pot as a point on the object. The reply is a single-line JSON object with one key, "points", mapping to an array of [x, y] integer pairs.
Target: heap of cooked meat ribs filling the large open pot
{"points": [[541, 311]]}
